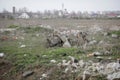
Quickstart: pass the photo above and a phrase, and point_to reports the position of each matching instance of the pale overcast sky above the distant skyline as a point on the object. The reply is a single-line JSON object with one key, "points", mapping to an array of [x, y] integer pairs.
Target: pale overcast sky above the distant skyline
{"points": [[70, 5]]}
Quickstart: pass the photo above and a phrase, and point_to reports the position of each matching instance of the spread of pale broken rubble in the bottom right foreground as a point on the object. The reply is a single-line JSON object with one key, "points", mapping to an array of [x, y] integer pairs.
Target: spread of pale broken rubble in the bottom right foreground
{"points": [[109, 69]]}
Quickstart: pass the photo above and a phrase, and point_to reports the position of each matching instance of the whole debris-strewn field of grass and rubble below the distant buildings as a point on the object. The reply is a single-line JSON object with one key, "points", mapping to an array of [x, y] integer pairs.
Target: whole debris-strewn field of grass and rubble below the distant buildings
{"points": [[59, 49]]}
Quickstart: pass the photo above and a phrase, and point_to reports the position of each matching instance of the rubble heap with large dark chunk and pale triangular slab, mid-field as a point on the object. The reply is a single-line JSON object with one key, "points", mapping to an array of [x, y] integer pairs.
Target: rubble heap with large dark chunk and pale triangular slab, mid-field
{"points": [[67, 40]]}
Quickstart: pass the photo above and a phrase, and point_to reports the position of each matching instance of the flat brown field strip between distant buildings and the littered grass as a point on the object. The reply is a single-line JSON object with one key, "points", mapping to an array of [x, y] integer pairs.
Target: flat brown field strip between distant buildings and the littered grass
{"points": [[58, 23]]}
